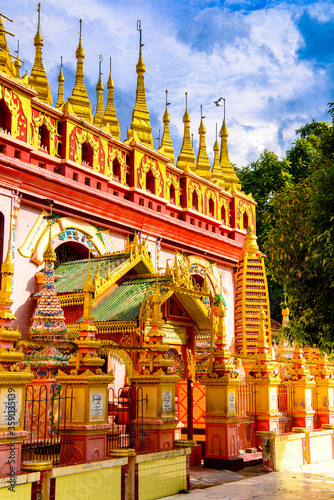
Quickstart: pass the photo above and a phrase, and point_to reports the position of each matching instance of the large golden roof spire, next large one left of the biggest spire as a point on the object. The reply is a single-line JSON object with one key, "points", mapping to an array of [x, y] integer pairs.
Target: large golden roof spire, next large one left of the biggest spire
{"points": [[79, 99]]}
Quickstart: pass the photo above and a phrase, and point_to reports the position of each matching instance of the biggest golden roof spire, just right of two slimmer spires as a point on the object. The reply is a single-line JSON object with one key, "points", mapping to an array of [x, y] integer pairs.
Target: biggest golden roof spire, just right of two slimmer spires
{"points": [[140, 116]]}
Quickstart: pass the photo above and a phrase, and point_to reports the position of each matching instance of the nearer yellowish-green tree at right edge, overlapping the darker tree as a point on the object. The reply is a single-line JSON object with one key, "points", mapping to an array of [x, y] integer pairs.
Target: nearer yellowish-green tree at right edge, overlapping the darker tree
{"points": [[300, 246]]}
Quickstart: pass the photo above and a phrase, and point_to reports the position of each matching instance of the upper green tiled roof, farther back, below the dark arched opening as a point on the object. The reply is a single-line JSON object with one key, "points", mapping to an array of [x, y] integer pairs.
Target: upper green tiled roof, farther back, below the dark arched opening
{"points": [[72, 275]]}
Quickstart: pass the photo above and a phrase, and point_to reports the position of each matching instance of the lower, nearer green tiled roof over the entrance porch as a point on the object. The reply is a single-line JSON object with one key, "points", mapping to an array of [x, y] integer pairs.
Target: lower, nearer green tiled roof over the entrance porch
{"points": [[123, 303]]}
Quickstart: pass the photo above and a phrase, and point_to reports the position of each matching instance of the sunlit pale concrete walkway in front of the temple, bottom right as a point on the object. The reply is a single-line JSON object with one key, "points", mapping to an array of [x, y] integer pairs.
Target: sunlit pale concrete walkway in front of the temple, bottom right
{"points": [[311, 482]]}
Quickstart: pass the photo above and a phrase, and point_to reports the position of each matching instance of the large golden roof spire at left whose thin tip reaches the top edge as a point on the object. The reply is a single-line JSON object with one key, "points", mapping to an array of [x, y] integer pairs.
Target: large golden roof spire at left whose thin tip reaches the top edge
{"points": [[37, 78]]}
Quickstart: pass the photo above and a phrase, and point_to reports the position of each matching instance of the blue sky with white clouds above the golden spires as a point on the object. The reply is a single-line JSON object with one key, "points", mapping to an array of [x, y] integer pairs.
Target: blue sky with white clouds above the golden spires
{"points": [[272, 61]]}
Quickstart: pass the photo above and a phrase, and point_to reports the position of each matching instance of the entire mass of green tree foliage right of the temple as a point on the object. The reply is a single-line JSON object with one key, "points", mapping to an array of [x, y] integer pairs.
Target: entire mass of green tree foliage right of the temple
{"points": [[295, 205]]}
